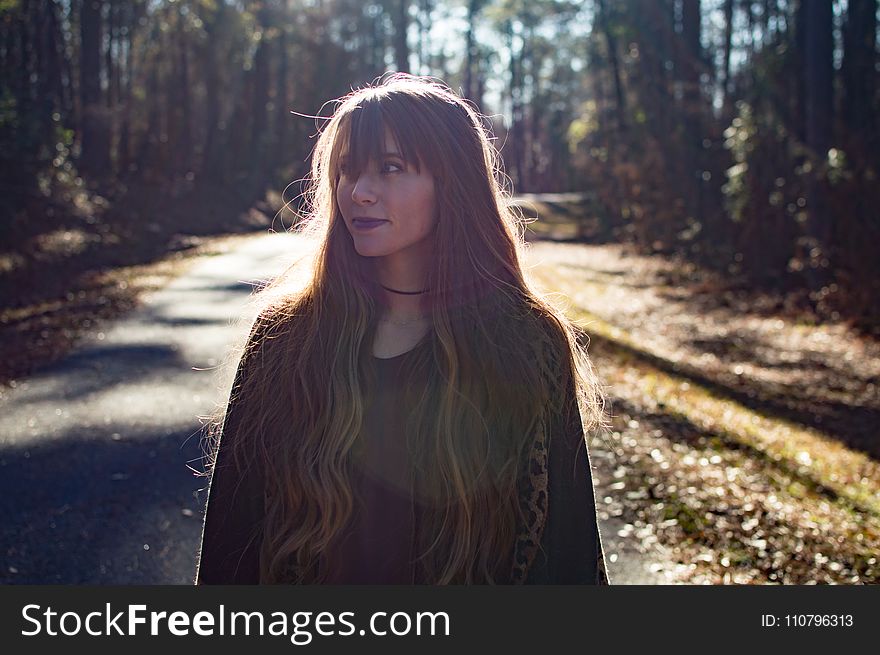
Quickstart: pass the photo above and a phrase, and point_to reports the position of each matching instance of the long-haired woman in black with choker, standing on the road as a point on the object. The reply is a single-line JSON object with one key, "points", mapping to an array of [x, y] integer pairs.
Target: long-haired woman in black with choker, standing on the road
{"points": [[414, 413]]}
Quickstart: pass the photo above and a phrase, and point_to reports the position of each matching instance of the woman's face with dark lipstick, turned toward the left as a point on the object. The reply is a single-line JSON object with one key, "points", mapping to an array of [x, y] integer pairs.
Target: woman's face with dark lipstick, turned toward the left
{"points": [[389, 209]]}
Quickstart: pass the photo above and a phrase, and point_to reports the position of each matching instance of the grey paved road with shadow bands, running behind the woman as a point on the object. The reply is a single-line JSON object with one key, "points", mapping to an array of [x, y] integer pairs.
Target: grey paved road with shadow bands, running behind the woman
{"points": [[95, 484]]}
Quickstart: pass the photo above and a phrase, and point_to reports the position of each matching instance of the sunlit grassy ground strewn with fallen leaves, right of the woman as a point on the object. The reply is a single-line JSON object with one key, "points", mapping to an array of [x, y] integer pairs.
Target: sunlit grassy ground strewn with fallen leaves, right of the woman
{"points": [[744, 442]]}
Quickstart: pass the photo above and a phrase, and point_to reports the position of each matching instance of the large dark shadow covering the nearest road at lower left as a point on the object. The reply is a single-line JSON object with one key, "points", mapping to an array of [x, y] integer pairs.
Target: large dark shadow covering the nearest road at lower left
{"points": [[118, 507]]}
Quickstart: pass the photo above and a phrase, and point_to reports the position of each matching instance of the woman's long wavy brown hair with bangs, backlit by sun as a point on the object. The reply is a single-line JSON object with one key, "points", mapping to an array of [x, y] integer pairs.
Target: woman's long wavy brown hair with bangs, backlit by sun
{"points": [[500, 357]]}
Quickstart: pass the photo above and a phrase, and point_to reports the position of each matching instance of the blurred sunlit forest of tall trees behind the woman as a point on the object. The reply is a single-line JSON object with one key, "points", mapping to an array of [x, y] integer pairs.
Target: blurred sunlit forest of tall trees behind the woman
{"points": [[741, 134]]}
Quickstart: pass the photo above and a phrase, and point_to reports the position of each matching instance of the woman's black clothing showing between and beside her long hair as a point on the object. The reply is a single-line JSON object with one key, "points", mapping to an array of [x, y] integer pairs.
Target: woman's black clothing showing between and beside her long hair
{"points": [[558, 544]]}
